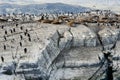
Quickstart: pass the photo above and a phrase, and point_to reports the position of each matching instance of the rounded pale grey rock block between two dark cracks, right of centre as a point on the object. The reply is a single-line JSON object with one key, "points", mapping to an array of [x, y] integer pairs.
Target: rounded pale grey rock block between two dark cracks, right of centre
{"points": [[83, 36]]}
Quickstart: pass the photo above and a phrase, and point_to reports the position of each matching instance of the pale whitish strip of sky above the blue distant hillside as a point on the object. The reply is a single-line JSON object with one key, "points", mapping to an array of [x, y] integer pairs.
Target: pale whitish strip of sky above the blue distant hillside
{"points": [[74, 2]]}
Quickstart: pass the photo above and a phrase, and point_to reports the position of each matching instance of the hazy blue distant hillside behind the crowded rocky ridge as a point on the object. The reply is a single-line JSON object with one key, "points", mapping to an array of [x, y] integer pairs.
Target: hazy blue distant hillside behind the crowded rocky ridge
{"points": [[41, 8]]}
